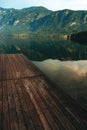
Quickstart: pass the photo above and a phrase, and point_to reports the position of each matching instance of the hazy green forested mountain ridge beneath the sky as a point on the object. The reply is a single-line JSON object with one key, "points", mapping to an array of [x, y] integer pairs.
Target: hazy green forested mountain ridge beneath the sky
{"points": [[39, 19]]}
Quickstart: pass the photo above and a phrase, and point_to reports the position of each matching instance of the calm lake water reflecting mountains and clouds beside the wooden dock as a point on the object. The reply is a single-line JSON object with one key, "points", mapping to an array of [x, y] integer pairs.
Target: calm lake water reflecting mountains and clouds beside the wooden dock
{"points": [[62, 61]]}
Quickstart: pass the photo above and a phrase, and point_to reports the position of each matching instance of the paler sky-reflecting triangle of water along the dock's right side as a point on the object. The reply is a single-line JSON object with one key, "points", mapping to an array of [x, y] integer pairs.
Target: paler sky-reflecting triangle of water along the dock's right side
{"points": [[70, 75]]}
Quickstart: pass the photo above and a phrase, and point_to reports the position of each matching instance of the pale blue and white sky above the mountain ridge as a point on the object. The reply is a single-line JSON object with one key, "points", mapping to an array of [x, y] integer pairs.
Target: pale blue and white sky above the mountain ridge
{"points": [[50, 4]]}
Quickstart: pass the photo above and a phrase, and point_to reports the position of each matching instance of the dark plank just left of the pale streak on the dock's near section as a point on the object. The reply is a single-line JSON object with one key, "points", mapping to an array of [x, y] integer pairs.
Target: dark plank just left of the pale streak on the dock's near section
{"points": [[31, 110]]}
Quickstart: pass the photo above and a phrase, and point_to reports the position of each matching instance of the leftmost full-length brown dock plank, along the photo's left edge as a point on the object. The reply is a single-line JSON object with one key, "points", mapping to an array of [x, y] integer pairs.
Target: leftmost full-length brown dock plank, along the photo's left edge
{"points": [[5, 115]]}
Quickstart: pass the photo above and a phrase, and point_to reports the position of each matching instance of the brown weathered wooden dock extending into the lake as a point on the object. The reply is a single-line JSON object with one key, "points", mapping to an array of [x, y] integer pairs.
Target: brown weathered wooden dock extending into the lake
{"points": [[30, 101]]}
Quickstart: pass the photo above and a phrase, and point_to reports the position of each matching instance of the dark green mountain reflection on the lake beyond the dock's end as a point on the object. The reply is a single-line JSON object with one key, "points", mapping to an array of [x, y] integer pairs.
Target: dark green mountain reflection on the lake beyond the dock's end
{"points": [[41, 48]]}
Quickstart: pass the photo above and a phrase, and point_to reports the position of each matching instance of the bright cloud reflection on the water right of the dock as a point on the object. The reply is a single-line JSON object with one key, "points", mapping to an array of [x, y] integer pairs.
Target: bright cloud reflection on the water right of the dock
{"points": [[76, 69]]}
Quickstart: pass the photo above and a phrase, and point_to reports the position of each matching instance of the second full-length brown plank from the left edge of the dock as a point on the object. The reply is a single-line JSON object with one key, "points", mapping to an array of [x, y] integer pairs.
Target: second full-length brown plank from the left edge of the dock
{"points": [[10, 97]]}
